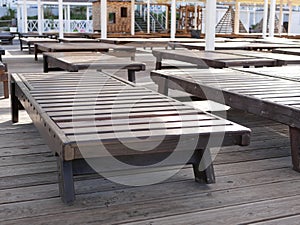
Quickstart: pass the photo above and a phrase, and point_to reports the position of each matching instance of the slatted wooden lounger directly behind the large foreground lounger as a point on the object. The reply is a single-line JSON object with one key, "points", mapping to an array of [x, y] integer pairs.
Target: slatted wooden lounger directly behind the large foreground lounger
{"points": [[75, 61]]}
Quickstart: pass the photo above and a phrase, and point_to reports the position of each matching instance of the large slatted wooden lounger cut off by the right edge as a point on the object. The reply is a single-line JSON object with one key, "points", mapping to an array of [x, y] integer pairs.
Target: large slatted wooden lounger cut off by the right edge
{"points": [[271, 97]]}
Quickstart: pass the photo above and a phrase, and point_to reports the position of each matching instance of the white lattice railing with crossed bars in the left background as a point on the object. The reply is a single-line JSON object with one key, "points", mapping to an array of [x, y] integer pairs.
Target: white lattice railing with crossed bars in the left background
{"points": [[69, 25]]}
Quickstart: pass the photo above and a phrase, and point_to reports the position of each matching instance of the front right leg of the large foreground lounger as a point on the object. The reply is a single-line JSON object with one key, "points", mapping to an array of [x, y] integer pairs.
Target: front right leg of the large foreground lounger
{"points": [[203, 167]]}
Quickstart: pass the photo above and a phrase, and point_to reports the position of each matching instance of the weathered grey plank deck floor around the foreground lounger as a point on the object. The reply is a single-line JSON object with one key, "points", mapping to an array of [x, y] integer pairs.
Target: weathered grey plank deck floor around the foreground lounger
{"points": [[255, 184]]}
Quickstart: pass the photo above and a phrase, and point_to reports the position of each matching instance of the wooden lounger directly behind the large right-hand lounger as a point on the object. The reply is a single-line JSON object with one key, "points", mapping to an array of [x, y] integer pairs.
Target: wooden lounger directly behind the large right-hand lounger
{"points": [[210, 59]]}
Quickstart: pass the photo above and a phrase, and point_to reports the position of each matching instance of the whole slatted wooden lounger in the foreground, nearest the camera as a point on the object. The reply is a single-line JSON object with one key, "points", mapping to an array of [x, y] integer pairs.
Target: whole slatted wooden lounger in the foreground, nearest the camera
{"points": [[101, 117]]}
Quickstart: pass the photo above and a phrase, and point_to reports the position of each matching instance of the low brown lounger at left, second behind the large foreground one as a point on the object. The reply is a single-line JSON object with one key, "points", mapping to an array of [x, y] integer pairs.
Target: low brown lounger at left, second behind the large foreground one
{"points": [[84, 47]]}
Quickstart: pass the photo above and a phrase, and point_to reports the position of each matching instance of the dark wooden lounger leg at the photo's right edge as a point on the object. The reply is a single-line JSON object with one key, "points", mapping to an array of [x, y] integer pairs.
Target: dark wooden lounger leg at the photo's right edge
{"points": [[295, 147]]}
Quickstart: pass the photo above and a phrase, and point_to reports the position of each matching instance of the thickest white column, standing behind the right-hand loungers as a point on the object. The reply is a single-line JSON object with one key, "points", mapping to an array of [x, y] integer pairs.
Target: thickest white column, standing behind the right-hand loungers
{"points": [[210, 30]]}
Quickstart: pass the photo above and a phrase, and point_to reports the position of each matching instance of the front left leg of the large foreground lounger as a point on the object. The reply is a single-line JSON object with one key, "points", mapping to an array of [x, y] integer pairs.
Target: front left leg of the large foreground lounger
{"points": [[65, 180]]}
